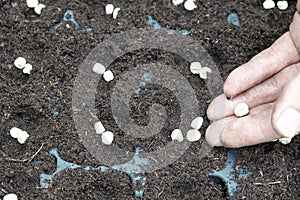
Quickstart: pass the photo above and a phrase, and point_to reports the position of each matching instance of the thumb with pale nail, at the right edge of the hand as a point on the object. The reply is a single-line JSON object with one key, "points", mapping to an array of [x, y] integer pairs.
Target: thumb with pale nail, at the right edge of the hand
{"points": [[286, 115]]}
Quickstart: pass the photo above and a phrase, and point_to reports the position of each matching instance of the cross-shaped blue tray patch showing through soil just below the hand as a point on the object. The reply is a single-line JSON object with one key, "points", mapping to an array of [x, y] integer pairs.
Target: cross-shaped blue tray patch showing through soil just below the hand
{"points": [[227, 174]]}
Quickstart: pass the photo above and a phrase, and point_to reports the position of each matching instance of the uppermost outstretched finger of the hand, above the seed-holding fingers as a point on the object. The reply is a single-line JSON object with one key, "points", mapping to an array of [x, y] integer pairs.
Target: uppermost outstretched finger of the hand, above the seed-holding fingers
{"points": [[262, 66]]}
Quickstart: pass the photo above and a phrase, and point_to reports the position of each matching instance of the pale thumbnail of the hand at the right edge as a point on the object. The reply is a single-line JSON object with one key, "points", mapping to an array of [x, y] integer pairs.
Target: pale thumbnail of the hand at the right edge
{"points": [[288, 123]]}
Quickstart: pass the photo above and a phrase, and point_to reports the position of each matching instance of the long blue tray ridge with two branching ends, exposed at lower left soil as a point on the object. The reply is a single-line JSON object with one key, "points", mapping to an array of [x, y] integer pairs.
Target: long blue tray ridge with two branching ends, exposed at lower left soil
{"points": [[133, 168]]}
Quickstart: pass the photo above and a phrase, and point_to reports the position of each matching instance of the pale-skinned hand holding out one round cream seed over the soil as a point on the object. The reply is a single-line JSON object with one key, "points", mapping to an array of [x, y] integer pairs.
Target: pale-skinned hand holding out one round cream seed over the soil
{"points": [[270, 84]]}
